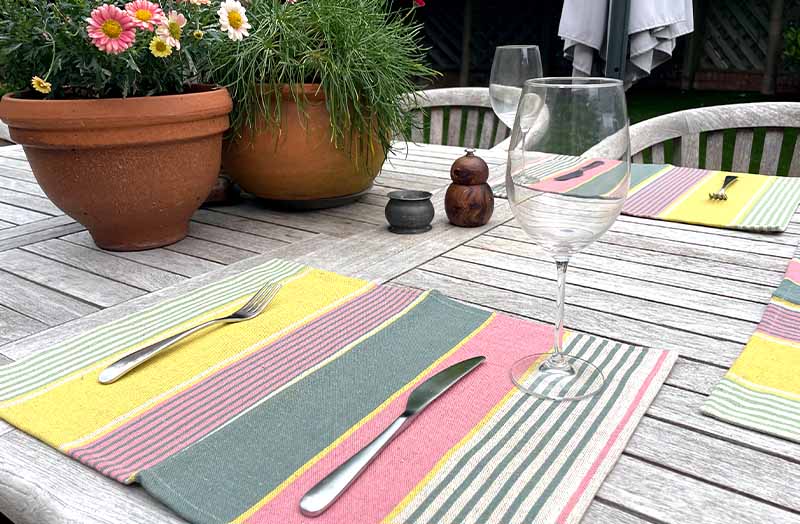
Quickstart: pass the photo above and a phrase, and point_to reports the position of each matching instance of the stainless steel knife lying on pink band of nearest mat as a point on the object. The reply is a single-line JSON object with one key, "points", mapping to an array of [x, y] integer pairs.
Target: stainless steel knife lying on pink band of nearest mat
{"points": [[326, 491]]}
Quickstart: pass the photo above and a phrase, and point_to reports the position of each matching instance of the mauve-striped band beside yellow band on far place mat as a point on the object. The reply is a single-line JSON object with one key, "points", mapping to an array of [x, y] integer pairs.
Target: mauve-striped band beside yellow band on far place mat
{"points": [[660, 194]]}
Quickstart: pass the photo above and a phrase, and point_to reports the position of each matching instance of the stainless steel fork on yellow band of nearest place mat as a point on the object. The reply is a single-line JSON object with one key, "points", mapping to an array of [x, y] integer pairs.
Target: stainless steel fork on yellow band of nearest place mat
{"points": [[254, 307]]}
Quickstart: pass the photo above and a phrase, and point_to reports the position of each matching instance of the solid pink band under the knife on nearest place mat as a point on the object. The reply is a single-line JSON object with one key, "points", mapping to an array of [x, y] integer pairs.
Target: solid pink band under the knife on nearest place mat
{"points": [[418, 449]]}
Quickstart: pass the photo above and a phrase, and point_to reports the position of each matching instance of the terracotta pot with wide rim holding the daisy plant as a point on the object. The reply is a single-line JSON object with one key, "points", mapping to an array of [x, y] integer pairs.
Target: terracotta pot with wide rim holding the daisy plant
{"points": [[134, 170]]}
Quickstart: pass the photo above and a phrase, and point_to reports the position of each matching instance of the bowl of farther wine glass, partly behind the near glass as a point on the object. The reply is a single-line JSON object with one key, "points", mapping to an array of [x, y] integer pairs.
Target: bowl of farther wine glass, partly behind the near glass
{"points": [[512, 66]]}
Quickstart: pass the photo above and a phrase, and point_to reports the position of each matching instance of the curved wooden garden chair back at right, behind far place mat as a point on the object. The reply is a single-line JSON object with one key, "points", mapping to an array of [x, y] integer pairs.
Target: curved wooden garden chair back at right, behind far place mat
{"points": [[744, 138]]}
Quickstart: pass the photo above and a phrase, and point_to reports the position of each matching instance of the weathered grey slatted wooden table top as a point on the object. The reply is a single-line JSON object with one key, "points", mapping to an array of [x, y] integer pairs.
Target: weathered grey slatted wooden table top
{"points": [[695, 290]]}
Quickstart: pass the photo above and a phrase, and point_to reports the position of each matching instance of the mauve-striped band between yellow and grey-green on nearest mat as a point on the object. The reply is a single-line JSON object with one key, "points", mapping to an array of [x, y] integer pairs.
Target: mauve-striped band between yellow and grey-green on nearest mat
{"points": [[185, 418]]}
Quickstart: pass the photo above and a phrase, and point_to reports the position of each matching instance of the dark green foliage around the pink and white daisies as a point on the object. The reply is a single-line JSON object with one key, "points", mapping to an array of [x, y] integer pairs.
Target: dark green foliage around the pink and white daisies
{"points": [[50, 40]]}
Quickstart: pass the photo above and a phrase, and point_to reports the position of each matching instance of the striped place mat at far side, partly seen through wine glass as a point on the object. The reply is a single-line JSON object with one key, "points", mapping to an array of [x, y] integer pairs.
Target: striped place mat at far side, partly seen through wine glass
{"points": [[677, 194]]}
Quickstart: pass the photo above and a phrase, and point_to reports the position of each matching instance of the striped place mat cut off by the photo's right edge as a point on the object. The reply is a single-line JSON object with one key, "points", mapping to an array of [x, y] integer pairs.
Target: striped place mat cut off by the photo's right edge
{"points": [[761, 391]]}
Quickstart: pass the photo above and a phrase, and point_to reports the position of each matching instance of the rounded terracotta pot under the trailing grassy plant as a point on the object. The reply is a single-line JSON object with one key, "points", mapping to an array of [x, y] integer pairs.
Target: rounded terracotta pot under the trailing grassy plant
{"points": [[301, 168]]}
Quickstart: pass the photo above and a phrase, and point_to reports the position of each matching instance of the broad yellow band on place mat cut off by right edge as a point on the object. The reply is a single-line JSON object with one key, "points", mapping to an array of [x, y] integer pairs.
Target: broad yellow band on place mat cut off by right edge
{"points": [[770, 362]]}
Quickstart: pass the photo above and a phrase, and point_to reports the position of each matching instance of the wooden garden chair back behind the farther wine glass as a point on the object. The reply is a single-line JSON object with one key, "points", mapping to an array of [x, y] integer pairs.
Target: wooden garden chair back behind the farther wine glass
{"points": [[460, 116]]}
